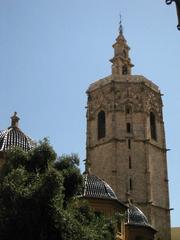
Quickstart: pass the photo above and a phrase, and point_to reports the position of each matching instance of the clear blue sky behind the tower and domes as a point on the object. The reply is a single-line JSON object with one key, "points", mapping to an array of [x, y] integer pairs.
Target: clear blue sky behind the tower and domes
{"points": [[51, 50]]}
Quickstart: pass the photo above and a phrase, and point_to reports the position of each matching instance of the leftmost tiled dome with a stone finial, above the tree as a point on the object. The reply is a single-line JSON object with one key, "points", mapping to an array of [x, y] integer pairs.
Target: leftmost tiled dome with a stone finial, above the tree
{"points": [[14, 137]]}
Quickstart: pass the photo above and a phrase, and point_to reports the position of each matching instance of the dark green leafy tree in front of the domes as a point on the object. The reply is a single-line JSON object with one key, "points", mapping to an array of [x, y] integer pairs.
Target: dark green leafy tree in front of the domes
{"points": [[38, 199]]}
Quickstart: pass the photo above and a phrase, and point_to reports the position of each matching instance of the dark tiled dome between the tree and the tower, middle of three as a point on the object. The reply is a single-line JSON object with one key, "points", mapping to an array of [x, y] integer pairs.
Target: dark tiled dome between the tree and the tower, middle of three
{"points": [[95, 187]]}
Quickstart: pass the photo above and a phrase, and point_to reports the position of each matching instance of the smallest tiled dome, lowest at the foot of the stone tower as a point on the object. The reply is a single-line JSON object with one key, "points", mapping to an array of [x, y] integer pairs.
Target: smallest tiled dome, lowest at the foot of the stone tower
{"points": [[135, 216]]}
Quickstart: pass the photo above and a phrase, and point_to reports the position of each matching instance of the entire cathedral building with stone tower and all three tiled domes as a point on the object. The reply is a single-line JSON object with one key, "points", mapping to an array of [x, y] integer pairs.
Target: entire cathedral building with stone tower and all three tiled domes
{"points": [[126, 165]]}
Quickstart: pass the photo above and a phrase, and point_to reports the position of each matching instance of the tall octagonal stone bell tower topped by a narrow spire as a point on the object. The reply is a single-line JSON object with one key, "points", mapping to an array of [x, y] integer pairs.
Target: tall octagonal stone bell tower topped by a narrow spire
{"points": [[126, 139]]}
